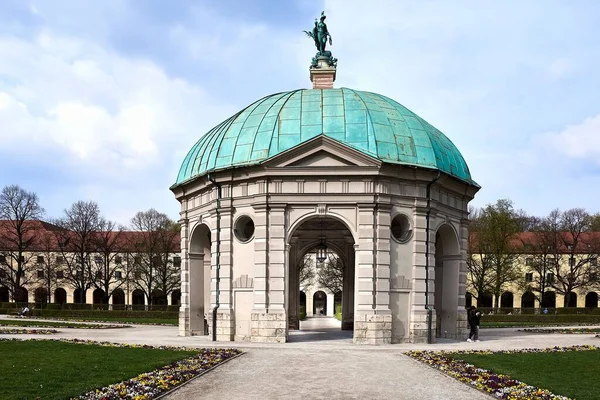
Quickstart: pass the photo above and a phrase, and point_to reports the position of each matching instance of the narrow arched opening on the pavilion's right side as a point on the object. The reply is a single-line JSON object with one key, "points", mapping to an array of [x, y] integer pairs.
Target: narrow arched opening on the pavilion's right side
{"points": [[446, 276]]}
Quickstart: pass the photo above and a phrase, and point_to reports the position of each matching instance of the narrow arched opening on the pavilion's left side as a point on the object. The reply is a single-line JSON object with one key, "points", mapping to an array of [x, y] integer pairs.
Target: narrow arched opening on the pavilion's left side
{"points": [[199, 279]]}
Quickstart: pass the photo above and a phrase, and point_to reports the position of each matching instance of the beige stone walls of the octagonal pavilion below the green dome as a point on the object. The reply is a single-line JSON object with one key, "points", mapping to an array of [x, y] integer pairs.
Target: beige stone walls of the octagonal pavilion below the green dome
{"points": [[359, 200]]}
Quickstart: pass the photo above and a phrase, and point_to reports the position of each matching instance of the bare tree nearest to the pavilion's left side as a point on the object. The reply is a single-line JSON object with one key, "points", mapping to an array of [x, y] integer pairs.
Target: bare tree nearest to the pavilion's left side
{"points": [[153, 244]]}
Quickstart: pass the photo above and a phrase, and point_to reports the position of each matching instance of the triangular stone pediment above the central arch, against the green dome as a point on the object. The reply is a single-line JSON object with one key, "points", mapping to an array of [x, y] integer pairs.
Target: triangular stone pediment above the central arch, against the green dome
{"points": [[320, 152]]}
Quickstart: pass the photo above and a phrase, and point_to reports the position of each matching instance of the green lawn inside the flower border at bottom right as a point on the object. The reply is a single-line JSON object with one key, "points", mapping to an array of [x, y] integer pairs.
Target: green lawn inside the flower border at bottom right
{"points": [[573, 374]]}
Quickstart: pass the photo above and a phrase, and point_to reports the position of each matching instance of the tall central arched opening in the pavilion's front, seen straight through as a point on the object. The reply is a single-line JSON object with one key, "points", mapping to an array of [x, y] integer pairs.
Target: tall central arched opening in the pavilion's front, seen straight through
{"points": [[329, 242]]}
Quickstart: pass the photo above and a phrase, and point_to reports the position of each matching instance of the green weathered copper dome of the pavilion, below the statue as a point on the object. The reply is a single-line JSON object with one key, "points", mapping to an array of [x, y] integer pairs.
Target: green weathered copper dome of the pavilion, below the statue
{"points": [[368, 122]]}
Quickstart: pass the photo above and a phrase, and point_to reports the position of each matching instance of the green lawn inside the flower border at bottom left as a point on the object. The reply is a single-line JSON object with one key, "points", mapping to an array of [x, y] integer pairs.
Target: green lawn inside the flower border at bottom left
{"points": [[56, 370]]}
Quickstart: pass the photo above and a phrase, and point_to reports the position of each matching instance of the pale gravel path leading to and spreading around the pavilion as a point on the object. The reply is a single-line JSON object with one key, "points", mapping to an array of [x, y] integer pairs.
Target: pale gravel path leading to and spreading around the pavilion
{"points": [[323, 363]]}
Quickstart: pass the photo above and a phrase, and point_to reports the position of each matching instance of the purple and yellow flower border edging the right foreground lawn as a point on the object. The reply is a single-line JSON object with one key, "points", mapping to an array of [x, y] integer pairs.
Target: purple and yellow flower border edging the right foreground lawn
{"points": [[501, 386]]}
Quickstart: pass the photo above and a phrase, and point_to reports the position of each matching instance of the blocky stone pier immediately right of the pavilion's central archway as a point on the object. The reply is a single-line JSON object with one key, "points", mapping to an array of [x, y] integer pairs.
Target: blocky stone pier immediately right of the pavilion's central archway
{"points": [[371, 325]]}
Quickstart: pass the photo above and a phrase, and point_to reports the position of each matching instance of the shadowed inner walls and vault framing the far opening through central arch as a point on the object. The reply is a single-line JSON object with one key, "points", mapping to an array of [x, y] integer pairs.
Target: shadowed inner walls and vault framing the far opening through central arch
{"points": [[304, 238]]}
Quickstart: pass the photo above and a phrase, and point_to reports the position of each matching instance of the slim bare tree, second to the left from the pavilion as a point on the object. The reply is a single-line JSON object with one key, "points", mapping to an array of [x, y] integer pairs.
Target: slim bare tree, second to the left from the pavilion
{"points": [[104, 272]]}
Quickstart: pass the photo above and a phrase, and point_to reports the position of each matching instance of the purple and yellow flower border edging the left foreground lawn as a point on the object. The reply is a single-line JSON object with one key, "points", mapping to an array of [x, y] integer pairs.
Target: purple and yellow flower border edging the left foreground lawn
{"points": [[149, 385]]}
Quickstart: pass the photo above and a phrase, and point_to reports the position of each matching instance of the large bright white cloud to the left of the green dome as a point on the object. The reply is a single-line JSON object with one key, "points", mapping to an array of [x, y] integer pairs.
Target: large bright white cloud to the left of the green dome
{"points": [[108, 119]]}
